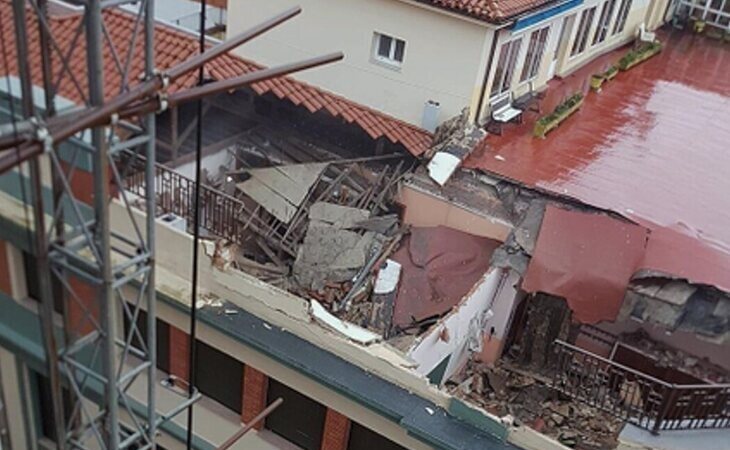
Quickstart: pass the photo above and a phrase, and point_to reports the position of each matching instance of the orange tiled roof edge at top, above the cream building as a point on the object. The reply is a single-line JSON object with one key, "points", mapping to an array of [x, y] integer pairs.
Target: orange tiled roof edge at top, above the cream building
{"points": [[488, 10]]}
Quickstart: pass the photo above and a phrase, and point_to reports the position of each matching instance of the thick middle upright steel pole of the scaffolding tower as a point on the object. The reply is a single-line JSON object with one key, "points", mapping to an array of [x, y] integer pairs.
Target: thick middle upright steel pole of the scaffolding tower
{"points": [[95, 74]]}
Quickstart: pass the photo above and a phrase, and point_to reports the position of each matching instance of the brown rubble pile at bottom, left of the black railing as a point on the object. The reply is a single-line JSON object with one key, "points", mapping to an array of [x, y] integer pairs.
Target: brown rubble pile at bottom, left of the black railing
{"points": [[505, 390]]}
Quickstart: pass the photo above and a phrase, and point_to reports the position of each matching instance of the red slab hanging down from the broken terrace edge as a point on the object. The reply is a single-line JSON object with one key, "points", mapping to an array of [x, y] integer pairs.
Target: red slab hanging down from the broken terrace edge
{"points": [[591, 274]]}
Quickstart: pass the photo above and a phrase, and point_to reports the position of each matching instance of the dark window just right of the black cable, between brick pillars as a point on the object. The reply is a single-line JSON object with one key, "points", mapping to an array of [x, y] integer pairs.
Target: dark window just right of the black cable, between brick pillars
{"points": [[219, 376]]}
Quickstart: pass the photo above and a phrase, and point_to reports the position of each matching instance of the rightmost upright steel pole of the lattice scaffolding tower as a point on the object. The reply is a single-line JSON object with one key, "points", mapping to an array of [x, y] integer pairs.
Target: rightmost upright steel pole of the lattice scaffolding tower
{"points": [[151, 204]]}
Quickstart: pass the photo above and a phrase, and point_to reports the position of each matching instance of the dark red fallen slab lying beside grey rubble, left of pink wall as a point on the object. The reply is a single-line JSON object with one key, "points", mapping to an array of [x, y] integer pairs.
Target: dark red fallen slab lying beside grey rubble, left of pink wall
{"points": [[440, 266]]}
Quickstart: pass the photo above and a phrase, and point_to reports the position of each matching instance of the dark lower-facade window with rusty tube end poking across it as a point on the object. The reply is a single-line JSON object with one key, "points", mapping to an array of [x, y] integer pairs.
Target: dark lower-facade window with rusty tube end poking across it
{"points": [[301, 421]]}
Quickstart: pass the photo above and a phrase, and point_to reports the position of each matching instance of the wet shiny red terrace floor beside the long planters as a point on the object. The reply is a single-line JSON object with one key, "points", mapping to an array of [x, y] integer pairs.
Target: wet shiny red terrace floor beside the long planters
{"points": [[654, 146]]}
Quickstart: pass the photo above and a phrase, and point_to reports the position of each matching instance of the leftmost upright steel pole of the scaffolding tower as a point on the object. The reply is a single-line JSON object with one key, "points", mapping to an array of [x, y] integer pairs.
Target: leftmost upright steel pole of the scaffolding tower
{"points": [[41, 246]]}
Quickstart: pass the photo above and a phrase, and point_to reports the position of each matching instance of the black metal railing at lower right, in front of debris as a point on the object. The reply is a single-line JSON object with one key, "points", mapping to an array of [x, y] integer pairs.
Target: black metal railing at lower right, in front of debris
{"points": [[636, 397]]}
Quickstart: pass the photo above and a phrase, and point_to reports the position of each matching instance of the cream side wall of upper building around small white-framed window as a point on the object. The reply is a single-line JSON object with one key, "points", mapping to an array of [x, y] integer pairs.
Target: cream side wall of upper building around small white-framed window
{"points": [[445, 54]]}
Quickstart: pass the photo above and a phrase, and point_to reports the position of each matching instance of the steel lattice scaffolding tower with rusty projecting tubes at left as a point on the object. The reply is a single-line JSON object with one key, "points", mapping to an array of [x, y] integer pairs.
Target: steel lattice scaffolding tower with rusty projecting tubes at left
{"points": [[93, 361]]}
